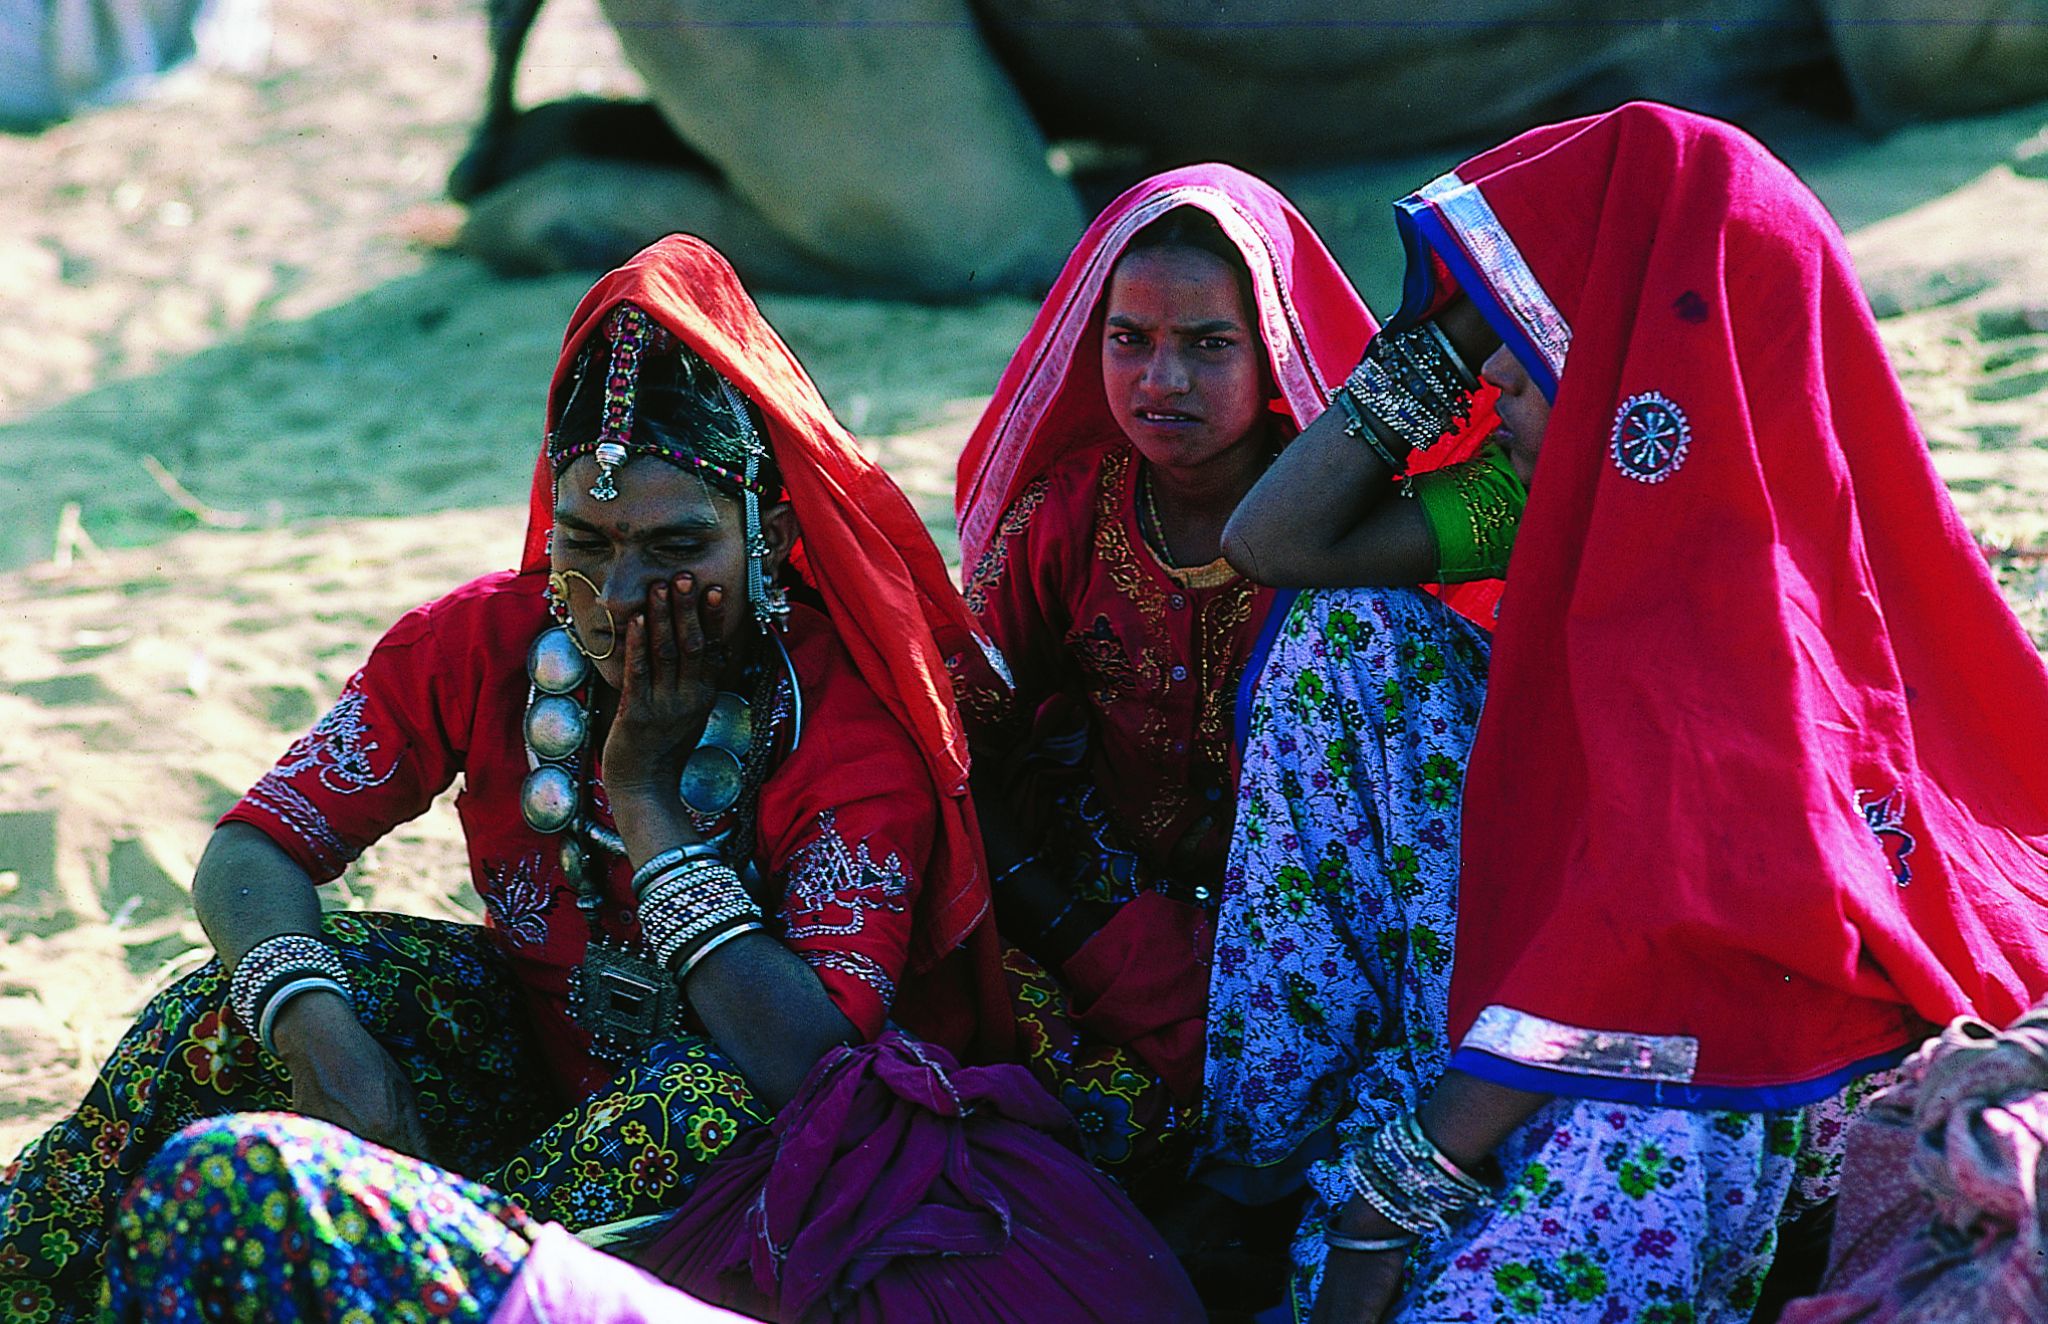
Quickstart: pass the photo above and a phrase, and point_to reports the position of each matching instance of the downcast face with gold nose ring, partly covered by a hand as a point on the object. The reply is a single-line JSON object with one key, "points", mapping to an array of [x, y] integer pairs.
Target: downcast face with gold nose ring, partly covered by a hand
{"points": [[663, 524]]}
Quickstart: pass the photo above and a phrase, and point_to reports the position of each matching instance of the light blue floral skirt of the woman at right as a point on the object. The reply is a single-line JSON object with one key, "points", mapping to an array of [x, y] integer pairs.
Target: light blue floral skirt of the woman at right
{"points": [[1330, 1007]]}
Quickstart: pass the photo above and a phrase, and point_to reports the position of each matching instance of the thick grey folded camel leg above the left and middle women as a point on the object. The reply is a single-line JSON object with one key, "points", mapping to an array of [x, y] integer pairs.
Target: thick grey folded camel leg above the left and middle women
{"points": [[890, 147]]}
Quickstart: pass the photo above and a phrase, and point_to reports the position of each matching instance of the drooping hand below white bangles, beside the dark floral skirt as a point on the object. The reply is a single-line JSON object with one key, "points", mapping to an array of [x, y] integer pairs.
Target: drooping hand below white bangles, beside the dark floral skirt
{"points": [[341, 1075]]}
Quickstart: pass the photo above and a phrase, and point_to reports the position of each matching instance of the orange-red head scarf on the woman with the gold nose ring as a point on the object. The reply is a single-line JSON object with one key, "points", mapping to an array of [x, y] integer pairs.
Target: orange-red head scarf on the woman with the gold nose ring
{"points": [[863, 548]]}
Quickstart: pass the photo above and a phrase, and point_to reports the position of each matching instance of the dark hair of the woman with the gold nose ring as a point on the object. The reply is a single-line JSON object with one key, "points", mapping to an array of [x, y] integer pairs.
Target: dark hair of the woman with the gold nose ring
{"points": [[679, 405]]}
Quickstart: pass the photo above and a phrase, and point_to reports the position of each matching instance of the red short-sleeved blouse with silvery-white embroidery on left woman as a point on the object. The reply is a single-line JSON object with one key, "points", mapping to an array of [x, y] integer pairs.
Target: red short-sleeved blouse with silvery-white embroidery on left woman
{"points": [[843, 837]]}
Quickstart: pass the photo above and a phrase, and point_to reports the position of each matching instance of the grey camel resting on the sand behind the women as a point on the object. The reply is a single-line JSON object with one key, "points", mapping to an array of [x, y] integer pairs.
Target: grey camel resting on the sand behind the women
{"points": [[904, 149]]}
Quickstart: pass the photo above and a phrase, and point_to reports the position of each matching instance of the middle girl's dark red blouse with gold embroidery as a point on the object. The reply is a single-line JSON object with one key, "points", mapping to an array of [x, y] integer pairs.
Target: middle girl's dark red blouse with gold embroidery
{"points": [[1080, 606]]}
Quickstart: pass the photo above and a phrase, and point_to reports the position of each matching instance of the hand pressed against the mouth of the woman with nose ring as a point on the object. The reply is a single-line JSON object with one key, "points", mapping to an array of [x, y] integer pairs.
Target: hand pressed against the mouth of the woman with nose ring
{"points": [[667, 690]]}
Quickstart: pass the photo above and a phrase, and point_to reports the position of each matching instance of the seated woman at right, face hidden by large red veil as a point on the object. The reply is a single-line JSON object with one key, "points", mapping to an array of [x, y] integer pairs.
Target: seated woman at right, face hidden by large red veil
{"points": [[1752, 804]]}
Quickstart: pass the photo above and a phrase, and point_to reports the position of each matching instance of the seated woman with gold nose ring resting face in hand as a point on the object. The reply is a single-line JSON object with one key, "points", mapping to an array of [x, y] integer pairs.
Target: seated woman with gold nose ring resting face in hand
{"points": [[714, 796]]}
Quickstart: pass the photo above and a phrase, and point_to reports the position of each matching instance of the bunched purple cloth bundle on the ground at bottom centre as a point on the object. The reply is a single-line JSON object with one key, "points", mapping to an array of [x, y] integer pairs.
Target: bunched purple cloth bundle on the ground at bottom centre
{"points": [[904, 1188]]}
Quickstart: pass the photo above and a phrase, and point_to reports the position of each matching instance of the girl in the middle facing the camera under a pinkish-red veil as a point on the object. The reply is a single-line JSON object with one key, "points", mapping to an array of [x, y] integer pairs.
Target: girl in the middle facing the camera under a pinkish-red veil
{"points": [[1195, 325]]}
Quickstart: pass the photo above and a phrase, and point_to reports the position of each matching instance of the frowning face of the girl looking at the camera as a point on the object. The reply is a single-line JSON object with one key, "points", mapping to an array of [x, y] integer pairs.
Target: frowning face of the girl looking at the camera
{"points": [[1183, 364]]}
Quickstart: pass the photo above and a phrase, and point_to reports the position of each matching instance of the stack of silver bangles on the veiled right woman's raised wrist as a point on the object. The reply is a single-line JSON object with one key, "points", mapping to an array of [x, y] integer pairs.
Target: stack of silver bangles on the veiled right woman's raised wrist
{"points": [[1408, 392]]}
